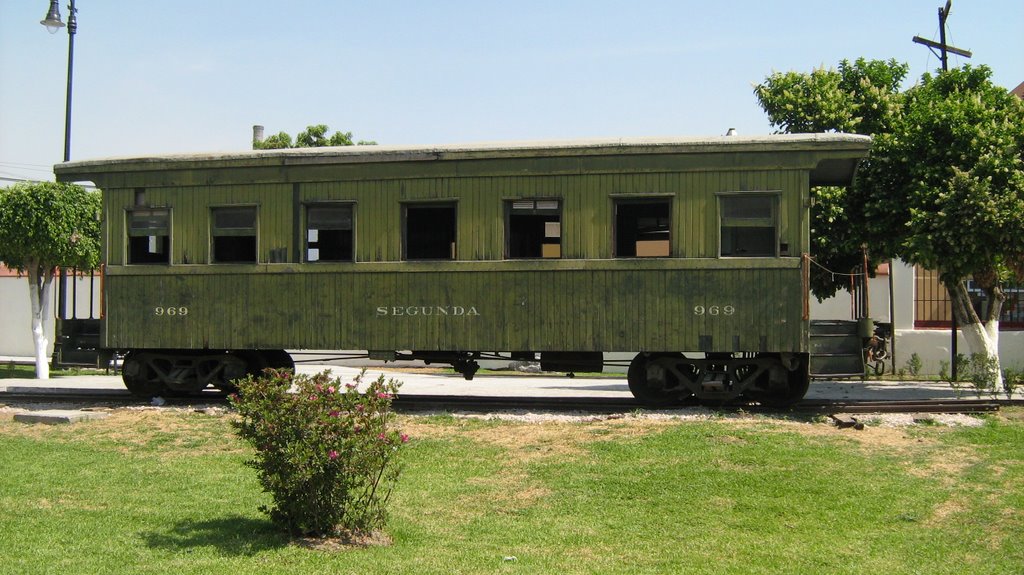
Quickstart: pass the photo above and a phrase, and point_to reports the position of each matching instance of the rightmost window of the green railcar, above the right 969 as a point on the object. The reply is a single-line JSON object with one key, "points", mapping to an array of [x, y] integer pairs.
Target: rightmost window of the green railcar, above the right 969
{"points": [[749, 226]]}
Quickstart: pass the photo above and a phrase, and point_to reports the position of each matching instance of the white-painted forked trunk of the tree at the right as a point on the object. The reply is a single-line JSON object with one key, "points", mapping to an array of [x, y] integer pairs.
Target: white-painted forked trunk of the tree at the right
{"points": [[983, 335]]}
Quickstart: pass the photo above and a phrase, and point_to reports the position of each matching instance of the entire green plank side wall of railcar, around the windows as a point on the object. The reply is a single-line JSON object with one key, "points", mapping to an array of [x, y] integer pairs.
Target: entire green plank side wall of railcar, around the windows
{"points": [[584, 302]]}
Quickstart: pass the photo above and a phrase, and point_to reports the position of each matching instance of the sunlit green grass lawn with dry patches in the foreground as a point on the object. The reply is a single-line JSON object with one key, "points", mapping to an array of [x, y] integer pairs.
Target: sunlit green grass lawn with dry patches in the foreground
{"points": [[166, 492]]}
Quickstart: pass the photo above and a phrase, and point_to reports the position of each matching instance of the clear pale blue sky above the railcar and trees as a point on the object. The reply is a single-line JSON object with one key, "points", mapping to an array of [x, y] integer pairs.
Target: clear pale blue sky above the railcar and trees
{"points": [[188, 76]]}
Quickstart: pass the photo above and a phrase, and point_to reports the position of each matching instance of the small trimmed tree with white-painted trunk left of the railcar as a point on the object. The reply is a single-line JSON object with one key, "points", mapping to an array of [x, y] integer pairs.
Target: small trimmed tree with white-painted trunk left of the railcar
{"points": [[46, 227]]}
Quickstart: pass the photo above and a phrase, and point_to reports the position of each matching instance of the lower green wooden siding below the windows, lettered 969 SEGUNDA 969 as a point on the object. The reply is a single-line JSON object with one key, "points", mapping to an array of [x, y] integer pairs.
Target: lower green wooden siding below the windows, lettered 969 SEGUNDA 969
{"points": [[577, 308]]}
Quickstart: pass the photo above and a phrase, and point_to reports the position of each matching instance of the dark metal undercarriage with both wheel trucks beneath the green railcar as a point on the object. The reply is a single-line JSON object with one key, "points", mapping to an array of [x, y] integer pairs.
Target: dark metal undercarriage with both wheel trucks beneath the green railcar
{"points": [[657, 380]]}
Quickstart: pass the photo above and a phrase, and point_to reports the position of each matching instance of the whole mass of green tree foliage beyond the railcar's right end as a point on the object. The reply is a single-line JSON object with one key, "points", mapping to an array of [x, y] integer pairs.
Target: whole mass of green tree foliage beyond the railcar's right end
{"points": [[945, 185]]}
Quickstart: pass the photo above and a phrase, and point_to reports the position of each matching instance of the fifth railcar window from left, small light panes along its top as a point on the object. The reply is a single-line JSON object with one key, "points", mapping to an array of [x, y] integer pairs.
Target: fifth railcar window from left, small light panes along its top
{"points": [[535, 229]]}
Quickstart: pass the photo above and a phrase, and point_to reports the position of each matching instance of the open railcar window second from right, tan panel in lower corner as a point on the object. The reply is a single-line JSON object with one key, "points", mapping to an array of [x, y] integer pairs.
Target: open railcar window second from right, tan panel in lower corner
{"points": [[643, 229]]}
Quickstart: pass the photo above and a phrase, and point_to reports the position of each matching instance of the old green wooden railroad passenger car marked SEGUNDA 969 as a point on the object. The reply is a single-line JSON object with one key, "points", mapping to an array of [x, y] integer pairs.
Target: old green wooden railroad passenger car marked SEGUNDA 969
{"points": [[691, 252]]}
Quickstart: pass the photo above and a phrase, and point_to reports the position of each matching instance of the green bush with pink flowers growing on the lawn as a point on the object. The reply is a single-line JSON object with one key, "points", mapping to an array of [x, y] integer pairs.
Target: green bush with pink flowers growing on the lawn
{"points": [[326, 453]]}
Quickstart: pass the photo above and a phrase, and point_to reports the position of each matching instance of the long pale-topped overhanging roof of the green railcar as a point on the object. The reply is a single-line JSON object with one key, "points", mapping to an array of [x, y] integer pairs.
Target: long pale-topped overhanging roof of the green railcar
{"points": [[501, 150]]}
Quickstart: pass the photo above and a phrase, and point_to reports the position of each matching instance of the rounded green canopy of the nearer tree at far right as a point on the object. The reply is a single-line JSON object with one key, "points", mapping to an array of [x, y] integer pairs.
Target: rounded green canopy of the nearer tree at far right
{"points": [[945, 188]]}
